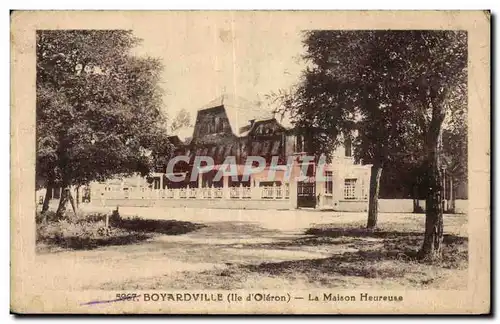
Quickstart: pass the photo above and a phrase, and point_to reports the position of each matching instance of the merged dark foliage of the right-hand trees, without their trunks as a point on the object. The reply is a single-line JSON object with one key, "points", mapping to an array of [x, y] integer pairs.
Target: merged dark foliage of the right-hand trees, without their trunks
{"points": [[374, 82]]}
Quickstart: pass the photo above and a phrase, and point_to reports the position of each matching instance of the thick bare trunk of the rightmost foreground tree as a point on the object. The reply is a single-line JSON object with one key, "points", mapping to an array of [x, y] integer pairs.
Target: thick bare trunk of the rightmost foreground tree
{"points": [[433, 239]]}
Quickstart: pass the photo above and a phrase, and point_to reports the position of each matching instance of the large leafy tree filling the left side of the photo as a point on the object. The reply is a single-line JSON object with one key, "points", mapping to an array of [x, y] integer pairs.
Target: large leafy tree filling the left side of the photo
{"points": [[98, 108]]}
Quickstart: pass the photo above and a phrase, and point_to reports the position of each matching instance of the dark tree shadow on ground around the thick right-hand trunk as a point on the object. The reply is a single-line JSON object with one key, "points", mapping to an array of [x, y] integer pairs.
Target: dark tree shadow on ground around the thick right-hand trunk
{"points": [[380, 254]]}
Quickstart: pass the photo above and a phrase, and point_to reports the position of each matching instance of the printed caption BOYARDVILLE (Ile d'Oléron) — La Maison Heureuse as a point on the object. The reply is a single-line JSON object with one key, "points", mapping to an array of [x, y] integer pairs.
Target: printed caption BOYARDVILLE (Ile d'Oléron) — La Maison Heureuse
{"points": [[265, 297]]}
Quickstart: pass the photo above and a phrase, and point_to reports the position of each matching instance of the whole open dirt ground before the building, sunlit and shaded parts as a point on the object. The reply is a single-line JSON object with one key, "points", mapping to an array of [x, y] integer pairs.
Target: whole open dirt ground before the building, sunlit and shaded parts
{"points": [[265, 249]]}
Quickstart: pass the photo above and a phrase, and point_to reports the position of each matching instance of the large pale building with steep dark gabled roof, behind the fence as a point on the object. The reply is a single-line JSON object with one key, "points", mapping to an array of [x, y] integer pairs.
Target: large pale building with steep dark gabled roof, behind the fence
{"points": [[233, 127]]}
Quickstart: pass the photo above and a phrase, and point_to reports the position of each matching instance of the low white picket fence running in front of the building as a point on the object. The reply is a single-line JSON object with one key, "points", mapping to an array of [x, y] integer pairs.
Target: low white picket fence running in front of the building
{"points": [[240, 192]]}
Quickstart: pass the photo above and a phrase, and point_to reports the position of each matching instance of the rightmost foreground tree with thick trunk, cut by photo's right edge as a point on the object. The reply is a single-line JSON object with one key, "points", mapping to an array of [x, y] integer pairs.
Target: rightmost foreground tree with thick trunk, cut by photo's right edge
{"points": [[439, 80]]}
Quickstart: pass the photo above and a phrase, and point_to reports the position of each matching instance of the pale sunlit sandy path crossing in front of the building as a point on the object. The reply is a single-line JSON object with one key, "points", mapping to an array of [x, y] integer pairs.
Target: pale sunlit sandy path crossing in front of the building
{"points": [[230, 238]]}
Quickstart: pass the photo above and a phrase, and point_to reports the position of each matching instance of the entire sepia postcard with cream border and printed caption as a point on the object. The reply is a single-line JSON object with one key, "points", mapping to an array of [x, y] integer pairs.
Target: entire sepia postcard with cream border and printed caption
{"points": [[250, 162]]}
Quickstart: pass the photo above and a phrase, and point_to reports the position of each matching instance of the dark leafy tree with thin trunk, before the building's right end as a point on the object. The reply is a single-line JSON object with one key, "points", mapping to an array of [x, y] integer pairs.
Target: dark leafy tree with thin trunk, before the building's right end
{"points": [[352, 88]]}
